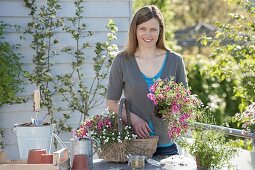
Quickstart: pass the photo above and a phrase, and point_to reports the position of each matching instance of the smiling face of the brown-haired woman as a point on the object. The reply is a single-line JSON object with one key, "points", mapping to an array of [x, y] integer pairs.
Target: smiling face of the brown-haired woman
{"points": [[147, 33]]}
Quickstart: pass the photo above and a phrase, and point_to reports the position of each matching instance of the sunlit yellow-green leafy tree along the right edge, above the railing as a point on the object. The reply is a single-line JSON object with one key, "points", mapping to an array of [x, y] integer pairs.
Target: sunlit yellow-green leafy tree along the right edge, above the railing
{"points": [[234, 51]]}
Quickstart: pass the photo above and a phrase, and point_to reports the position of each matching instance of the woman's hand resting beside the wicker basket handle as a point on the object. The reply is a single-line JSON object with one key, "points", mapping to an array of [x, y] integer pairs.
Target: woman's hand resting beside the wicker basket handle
{"points": [[140, 126]]}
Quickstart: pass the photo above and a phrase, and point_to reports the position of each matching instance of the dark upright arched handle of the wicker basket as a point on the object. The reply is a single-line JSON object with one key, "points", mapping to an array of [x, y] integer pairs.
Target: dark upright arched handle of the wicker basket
{"points": [[120, 127]]}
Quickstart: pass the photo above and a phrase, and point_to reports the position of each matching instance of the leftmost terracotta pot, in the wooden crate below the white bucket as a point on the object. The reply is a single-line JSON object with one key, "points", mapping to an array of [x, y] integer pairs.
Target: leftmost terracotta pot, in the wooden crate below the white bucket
{"points": [[35, 156]]}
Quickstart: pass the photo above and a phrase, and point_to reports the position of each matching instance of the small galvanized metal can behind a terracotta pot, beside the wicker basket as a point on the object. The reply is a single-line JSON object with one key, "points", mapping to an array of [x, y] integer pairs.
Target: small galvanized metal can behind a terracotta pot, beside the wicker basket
{"points": [[83, 146]]}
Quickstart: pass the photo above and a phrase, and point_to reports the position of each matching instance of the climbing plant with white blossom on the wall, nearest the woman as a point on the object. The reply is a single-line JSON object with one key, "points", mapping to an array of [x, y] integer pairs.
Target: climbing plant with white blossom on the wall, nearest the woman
{"points": [[82, 96]]}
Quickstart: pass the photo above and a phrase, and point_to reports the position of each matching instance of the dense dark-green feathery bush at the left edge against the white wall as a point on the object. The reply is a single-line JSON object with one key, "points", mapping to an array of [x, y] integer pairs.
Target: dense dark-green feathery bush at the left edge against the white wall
{"points": [[11, 80]]}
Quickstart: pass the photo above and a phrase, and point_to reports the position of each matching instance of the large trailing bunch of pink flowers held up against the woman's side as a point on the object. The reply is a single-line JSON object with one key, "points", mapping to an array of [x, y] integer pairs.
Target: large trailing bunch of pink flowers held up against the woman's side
{"points": [[175, 104]]}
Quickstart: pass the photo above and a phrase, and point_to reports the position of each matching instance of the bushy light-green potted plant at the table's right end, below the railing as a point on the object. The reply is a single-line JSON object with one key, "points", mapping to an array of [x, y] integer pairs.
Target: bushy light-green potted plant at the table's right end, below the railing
{"points": [[210, 149]]}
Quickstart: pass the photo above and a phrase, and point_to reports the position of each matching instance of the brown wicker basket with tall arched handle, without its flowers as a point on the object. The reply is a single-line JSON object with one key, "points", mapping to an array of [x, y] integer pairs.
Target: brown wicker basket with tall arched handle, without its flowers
{"points": [[117, 152]]}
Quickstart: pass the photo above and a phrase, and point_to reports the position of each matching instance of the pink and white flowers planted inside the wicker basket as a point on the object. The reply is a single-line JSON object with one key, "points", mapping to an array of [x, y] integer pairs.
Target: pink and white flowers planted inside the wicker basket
{"points": [[104, 129]]}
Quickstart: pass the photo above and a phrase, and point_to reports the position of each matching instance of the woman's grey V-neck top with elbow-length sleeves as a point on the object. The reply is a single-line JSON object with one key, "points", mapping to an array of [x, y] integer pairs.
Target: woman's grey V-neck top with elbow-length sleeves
{"points": [[126, 75]]}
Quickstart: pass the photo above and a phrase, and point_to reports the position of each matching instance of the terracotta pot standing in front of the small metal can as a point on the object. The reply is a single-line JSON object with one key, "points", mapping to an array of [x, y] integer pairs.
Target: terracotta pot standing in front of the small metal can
{"points": [[80, 162]]}
